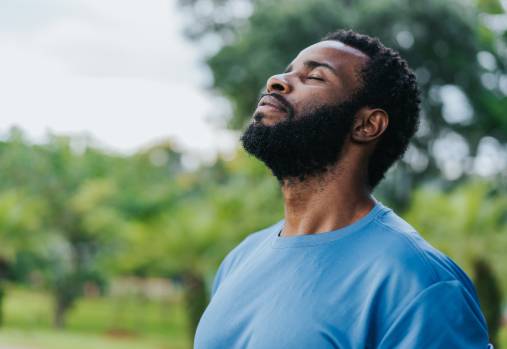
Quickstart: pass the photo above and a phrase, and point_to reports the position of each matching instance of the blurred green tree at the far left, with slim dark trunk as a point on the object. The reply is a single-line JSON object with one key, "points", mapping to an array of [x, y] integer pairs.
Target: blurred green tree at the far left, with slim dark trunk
{"points": [[78, 215]]}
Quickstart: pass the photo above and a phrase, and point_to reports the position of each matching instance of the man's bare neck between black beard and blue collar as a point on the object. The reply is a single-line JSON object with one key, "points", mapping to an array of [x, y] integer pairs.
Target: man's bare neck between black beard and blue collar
{"points": [[326, 202]]}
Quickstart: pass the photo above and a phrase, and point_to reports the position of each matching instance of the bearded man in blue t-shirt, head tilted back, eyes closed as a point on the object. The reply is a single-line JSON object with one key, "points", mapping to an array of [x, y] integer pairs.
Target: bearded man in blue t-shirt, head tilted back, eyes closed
{"points": [[341, 270]]}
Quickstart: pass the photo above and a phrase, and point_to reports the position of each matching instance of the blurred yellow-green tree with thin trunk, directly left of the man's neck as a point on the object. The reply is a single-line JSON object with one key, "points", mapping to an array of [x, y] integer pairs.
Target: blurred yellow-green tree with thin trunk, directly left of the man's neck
{"points": [[190, 236]]}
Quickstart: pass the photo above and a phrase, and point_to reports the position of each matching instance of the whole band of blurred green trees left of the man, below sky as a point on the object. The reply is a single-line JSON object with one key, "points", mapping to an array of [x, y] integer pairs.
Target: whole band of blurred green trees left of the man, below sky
{"points": [[94, 215]]}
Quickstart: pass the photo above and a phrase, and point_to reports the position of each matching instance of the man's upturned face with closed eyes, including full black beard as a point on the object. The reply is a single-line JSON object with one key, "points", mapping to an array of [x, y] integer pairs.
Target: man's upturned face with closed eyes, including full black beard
{"points": [[301, 124]]}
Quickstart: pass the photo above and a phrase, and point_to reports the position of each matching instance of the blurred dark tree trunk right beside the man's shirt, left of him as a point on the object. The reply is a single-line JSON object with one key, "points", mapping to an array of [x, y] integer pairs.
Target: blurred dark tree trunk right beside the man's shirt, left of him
{"points": [[196, 299]]}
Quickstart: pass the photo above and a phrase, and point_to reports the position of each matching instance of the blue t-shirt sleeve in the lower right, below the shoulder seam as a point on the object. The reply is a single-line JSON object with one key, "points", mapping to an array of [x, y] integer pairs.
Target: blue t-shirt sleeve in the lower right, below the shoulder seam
{"points": [[443, 315]]}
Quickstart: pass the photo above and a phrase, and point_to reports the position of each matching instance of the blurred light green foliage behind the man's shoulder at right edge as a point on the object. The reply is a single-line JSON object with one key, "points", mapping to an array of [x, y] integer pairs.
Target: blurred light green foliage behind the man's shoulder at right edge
{"points": [[467, 223]]}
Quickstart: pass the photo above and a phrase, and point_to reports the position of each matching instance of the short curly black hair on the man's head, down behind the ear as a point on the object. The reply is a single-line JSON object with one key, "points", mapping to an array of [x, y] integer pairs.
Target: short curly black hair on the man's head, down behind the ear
{"points": [[387, 83]]}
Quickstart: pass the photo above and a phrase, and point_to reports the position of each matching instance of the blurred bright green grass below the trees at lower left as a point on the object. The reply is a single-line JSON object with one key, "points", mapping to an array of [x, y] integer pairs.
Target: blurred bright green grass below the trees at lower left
{"points": [[99, 323]]}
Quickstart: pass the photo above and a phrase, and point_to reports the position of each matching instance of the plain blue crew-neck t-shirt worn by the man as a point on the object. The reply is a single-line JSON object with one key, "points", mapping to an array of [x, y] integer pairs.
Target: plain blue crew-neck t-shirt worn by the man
{"points": [[373, 284]]}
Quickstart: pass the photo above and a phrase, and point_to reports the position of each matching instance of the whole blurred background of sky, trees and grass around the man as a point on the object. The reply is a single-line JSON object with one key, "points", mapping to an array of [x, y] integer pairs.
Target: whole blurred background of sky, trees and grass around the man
{"points": [[122, 183]]}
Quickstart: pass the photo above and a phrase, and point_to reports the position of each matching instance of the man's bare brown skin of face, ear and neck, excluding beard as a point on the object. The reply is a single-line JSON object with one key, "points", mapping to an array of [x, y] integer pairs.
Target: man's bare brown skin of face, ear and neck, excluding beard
{"points": [[340, 196]]}
